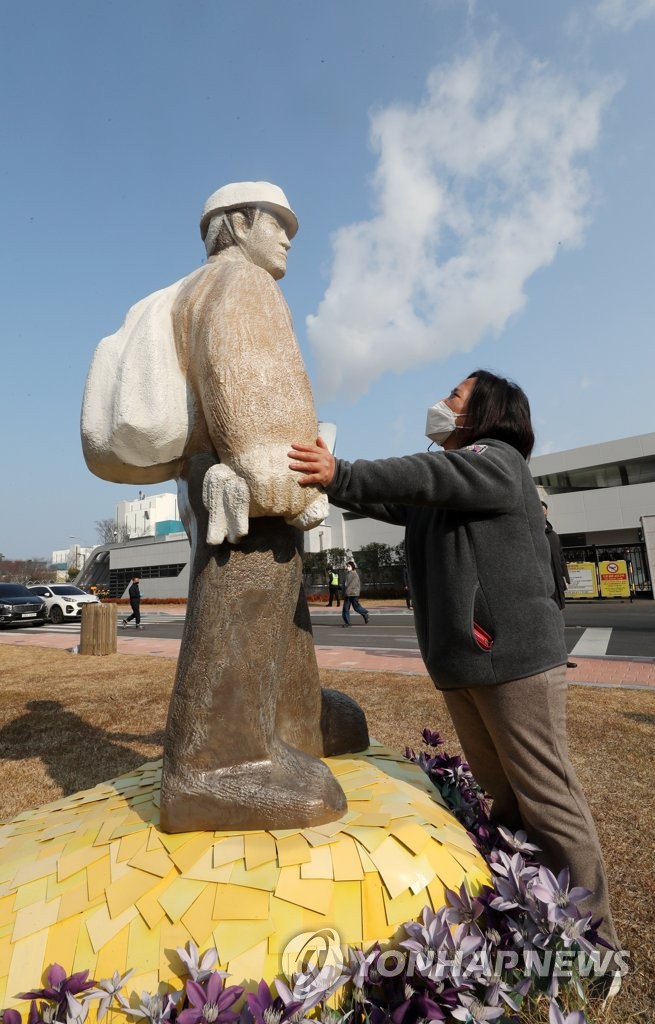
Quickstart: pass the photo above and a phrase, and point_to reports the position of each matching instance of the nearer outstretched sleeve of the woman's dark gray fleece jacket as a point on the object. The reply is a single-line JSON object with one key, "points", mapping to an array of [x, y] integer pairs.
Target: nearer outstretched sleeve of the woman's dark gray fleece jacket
{"points": [[483, 478]]}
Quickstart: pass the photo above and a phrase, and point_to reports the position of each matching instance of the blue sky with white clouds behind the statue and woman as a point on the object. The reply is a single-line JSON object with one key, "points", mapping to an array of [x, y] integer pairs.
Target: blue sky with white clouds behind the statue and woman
{"points": [[473, 183]]}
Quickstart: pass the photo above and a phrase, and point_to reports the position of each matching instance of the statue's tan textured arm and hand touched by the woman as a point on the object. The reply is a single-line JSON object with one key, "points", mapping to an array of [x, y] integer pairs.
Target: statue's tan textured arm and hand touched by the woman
{"points": [[255, 395]]}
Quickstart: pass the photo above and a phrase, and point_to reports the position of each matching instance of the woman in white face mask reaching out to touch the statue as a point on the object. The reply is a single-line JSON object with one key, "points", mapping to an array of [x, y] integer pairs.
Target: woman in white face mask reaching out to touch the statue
{"points": [[490, 632]]}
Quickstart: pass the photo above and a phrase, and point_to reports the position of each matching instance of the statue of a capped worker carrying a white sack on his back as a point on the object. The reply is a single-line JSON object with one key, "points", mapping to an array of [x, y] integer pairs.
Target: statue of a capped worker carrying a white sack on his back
{"points": [[248, 720]]}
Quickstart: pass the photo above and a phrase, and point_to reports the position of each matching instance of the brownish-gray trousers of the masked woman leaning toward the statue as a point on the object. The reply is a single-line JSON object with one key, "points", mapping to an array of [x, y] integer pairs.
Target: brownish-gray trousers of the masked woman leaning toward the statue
{"points": [[514, 738]]}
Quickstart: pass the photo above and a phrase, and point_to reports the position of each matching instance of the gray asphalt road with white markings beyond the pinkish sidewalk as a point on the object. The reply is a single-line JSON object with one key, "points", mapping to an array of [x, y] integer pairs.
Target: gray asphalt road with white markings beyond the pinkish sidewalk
{"points": [[606, 629]]}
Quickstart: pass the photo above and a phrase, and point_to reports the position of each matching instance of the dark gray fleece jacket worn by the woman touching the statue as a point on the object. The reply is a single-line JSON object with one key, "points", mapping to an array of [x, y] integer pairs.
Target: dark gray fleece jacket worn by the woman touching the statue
{"points": [[476, 553]]}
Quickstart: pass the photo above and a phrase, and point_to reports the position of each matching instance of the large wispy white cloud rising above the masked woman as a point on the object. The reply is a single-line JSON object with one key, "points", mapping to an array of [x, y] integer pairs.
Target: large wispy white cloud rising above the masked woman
{"points": [[476, 189]]}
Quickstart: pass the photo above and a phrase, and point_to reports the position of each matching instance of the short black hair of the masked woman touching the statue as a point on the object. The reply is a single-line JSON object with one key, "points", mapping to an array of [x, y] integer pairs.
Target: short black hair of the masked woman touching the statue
{"points": [[498, 408]]}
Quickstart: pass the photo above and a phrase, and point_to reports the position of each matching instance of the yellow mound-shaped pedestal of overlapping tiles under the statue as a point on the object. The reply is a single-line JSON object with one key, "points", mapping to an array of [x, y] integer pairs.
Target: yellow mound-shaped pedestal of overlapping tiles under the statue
{"points": [[91, 882]]}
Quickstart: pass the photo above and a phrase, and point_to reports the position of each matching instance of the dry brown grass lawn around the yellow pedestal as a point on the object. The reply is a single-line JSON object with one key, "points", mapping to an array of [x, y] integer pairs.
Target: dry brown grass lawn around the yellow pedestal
{"points": [[68, 723]]}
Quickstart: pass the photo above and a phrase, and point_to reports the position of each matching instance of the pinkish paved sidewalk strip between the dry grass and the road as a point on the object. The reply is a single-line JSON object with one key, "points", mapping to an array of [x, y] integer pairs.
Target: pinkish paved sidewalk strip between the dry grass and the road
{"points": [[627, 673]]}
